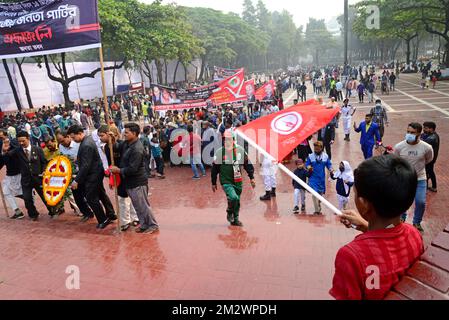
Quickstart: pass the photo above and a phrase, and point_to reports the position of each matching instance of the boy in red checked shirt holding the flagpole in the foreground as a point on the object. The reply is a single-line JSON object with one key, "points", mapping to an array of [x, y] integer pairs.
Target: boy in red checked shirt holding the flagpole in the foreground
{"points": [[374, 262]]}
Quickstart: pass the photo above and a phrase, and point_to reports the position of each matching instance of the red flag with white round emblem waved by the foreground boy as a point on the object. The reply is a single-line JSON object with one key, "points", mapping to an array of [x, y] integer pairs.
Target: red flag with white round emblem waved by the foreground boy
{"points": [[280, 133]]}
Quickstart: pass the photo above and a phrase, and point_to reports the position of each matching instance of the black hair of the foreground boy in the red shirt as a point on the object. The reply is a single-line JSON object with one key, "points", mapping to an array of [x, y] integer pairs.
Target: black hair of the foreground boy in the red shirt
{"points": [[389, 183]]}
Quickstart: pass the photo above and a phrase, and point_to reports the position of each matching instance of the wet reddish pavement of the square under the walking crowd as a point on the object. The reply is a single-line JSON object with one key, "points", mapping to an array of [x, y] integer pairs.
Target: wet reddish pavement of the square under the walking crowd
{"points": [[196, 255]]}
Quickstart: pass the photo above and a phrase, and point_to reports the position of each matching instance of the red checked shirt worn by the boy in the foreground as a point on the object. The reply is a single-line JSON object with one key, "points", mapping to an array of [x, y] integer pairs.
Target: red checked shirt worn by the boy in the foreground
{"points": [[393, 251]]}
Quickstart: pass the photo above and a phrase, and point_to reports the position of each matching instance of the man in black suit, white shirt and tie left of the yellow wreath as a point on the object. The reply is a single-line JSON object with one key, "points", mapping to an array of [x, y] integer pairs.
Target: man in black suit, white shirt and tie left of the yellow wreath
{"points": [[32, 164]]}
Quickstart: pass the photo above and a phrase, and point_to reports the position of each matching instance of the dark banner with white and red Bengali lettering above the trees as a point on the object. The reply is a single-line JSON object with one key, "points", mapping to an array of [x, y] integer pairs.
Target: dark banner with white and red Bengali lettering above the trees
{"points": [[39, 27]]}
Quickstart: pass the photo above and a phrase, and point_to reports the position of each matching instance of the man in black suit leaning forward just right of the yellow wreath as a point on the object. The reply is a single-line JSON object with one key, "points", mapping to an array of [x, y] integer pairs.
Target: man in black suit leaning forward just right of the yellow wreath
{"points": [[89, 179]]}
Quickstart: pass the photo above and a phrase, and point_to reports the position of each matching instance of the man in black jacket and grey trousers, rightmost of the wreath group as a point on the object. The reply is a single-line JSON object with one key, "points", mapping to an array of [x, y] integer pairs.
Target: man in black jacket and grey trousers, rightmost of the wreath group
{"points": [[132, 169]]}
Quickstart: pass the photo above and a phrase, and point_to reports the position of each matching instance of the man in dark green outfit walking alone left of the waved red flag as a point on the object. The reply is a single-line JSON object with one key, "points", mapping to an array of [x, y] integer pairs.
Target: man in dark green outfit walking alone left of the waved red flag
{"points": [[228, 163]]}
